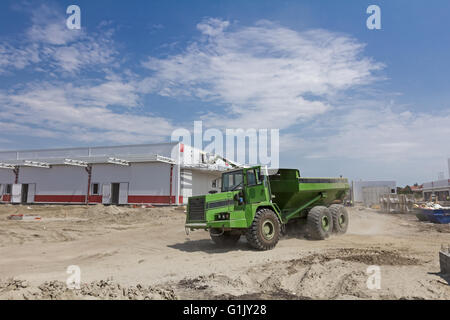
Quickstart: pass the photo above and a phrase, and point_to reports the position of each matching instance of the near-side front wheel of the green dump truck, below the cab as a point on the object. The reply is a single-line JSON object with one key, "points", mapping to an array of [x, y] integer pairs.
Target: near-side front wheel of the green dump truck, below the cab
{"points": [[265, 230]]}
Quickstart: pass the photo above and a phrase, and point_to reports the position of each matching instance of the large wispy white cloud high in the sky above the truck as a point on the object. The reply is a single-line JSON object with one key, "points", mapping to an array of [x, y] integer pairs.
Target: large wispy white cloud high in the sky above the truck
{"points": [[265, 75]]}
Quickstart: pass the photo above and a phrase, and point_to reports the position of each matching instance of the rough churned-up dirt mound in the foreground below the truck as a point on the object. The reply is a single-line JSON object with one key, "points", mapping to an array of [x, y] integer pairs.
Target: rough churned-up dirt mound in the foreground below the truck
{"points": [[341, 274]]}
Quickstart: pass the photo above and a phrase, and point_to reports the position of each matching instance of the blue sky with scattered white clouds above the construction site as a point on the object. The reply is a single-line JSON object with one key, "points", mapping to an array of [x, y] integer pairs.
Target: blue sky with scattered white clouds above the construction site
{"points": [[368, 104]]}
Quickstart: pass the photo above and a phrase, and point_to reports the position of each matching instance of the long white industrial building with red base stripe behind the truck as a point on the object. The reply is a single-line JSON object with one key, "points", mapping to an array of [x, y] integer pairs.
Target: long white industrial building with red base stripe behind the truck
{"points": [[166, 173]]}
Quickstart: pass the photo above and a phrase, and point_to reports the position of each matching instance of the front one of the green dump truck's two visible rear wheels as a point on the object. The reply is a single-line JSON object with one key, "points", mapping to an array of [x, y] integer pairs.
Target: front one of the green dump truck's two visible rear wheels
{"points": [[320, 223]]}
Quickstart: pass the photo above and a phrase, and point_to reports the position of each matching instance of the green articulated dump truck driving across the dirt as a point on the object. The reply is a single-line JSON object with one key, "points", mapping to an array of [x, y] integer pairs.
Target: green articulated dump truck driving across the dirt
{"points": [[258, 205]]}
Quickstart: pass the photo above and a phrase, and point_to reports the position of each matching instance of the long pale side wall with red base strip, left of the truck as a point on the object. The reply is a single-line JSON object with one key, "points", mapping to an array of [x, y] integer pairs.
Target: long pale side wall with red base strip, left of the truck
{"points": [[147, 182]]}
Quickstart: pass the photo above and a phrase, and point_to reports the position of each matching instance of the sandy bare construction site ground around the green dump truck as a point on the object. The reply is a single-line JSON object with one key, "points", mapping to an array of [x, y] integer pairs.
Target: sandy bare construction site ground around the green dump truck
{"points": [[144, 253]]}
